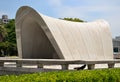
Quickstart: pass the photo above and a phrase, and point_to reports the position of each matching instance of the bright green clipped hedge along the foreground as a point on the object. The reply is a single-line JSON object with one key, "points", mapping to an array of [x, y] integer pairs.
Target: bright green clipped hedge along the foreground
{"points": [[99, 75]]}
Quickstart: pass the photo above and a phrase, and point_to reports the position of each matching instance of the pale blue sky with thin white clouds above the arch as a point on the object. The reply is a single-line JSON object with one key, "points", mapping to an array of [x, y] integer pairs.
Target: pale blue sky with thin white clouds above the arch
{"points": [[88, 10]]}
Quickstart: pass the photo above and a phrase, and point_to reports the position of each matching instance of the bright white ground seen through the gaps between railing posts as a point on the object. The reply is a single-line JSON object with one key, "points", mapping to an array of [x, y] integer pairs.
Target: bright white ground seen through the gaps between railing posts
{"points": [[71, 67]]}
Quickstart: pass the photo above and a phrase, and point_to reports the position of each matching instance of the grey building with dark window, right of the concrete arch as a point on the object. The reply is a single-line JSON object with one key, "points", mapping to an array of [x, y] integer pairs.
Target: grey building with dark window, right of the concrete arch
{"points": [[116, 47]]}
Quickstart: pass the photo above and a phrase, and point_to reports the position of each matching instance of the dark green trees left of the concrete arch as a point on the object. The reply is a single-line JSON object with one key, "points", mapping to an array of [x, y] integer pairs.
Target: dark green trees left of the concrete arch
{"points": [[8, 45]]}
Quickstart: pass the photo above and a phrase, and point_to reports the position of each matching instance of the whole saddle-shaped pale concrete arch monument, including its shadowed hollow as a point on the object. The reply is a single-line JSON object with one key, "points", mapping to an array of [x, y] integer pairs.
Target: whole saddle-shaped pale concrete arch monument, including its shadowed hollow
{"points": [[40, 36]]}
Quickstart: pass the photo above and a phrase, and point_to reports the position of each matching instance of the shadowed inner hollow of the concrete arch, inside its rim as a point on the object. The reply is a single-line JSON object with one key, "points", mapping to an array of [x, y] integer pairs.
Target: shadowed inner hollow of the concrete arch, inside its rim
{"points": [[35, 43]]}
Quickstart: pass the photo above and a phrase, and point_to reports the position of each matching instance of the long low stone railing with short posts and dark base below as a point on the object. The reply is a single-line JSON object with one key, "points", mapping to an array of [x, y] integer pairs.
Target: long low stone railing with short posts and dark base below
{"points": [[20, 66]]}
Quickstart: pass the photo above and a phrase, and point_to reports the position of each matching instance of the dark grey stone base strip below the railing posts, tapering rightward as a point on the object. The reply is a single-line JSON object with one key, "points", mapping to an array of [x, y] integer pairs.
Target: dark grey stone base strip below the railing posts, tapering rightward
{"points": [[17, 71]]}
